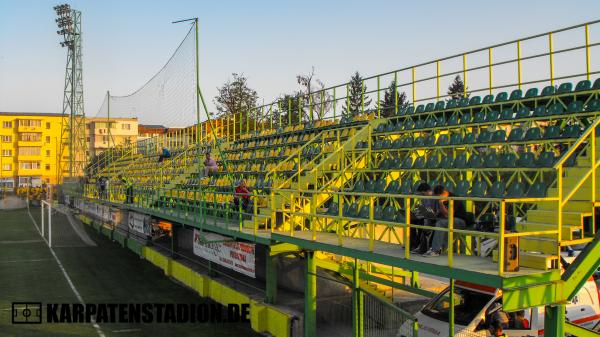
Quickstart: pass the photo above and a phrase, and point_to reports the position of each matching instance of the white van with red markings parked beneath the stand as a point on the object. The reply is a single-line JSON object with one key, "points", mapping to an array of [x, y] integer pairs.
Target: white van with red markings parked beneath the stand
{"points": [[474, 303]]}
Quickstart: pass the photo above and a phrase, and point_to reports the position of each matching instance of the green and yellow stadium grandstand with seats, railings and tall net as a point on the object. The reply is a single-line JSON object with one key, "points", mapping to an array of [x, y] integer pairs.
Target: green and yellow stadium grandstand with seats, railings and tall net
{"points": [[340, 184]]}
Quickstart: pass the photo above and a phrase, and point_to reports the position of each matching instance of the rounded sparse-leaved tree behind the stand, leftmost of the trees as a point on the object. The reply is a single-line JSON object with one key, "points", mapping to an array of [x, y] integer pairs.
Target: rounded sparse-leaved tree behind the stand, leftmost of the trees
{"points": [[236, 98]]}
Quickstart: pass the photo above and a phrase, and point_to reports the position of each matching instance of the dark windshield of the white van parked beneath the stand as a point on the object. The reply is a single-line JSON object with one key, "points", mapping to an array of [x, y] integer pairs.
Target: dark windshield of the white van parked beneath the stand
{"points": [[467, 304]]}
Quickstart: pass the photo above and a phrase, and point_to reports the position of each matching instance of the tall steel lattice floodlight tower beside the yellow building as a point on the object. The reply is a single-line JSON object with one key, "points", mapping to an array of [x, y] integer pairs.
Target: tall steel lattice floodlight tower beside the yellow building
{"points": [[73, 144]]}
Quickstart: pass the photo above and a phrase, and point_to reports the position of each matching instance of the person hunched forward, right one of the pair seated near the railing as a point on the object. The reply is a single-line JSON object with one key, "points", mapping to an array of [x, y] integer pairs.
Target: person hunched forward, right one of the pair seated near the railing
{"points": [[460, 216]]}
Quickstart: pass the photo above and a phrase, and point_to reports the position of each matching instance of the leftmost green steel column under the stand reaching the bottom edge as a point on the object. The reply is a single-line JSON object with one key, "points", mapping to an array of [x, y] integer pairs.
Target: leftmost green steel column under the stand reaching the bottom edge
{"points": [[310, 296]]}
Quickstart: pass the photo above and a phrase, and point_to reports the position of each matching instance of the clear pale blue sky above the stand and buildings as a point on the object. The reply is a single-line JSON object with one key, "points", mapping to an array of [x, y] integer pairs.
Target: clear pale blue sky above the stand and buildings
{"points": [[126, 42]]}
